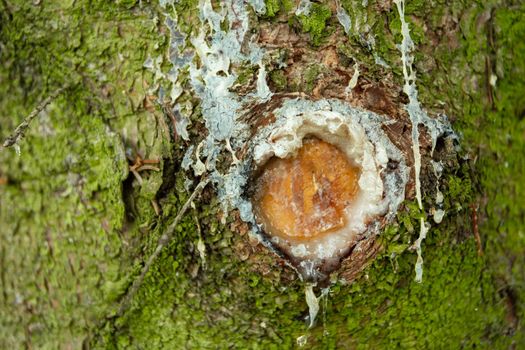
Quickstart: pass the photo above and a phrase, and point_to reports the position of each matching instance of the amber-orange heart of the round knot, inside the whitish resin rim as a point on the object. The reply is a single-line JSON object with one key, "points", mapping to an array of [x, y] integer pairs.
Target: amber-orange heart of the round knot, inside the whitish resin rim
{"points": [[306, 195]]}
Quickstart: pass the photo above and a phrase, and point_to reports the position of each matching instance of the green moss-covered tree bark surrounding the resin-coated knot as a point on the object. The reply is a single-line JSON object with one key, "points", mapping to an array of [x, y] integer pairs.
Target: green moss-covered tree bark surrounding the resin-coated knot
{"points": [[76, 226]]}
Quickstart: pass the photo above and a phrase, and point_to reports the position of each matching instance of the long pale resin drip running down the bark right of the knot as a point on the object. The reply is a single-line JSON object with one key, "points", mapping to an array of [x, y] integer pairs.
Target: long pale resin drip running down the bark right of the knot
{"points": [[416, 113]]}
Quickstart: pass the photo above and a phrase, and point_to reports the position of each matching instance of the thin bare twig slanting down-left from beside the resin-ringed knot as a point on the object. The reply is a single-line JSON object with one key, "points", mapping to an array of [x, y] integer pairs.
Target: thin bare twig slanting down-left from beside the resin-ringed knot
{"points": [[163, 241]]}
